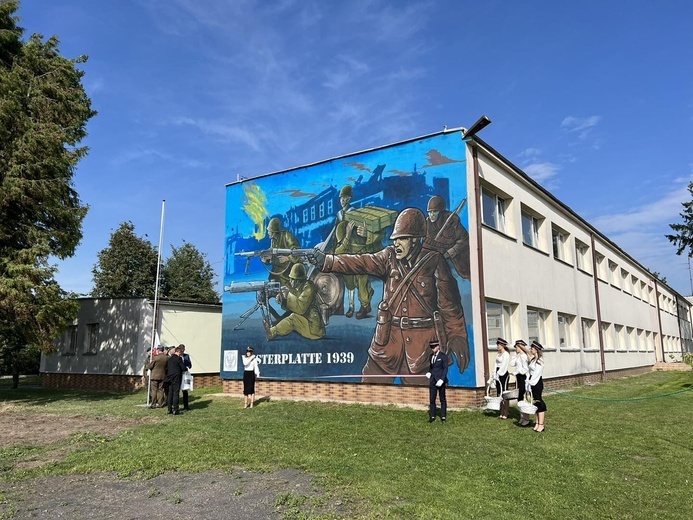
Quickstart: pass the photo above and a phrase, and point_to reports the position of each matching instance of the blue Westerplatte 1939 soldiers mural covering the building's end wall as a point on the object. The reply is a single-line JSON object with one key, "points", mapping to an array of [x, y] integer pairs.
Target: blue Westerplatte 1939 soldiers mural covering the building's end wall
{"points": [[346, 269]]}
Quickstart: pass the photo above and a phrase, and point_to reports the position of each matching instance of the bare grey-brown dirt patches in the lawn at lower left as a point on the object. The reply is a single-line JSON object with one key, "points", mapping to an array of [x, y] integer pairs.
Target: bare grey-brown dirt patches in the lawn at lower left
{"points": [[210, 495]]}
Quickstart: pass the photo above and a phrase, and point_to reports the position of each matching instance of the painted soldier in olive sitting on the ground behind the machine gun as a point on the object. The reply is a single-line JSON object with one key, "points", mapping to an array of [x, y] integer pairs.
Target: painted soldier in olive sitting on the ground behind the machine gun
{"points": [[299, 298]]}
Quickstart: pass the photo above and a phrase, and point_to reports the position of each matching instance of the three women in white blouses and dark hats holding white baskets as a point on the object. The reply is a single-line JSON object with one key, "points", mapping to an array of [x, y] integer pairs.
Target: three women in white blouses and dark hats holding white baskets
{"points": [[529, 368]]}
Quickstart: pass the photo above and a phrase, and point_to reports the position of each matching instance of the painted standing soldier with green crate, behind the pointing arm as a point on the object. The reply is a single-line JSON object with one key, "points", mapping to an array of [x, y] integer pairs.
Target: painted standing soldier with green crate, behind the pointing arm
{"points": [[353, 238]]}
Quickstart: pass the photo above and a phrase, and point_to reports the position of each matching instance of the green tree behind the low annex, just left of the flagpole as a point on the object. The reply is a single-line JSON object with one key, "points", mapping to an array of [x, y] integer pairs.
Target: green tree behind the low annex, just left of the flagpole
{"points": [[127, 267]]}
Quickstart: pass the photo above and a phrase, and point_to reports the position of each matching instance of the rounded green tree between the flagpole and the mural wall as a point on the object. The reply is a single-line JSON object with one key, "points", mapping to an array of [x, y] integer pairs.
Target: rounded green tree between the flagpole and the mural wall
{"points": [[189, 276]]}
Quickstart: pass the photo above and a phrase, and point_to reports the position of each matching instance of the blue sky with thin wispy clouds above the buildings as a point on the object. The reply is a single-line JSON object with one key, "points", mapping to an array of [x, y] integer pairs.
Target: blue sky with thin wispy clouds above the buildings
{"points": [[593, 99]]}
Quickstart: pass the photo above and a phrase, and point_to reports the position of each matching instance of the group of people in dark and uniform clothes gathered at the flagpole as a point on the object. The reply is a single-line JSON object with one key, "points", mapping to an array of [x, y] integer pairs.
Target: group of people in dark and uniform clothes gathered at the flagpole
{"points": [[166, 377]]}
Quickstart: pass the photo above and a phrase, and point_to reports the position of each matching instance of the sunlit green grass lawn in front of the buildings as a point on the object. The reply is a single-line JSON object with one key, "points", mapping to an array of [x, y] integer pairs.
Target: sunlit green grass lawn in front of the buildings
{"points": [[602, 456]]}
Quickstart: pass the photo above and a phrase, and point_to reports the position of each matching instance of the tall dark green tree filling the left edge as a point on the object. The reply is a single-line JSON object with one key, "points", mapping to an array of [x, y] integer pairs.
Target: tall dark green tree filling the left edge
{"points": [[43, 115]]}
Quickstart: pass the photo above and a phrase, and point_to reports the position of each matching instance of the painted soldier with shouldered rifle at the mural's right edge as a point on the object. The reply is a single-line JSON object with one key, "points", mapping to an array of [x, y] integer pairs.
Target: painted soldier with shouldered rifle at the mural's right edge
{"points": [[446, 234]]}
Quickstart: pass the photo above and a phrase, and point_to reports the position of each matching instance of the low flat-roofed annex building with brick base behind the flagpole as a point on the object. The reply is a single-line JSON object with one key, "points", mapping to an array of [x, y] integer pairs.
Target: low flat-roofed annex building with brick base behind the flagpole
{"points": [[106, 346]]}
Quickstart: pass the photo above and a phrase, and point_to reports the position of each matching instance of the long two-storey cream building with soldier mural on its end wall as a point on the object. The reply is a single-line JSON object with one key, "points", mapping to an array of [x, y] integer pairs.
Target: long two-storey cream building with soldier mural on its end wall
{"points": [[344, 270]]}
